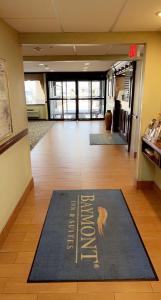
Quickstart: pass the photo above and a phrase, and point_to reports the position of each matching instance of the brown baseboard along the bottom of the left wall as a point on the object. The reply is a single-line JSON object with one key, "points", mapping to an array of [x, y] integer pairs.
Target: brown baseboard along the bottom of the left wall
{"points": [[14, 214]]}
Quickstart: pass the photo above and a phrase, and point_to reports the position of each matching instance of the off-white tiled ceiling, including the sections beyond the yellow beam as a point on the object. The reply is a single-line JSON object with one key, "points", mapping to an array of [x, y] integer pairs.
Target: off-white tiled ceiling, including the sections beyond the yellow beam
{"points": [[78, 16]]}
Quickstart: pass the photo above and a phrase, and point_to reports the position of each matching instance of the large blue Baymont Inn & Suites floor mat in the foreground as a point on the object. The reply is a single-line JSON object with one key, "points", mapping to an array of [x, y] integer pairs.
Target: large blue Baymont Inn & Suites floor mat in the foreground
{"points": [[90, 235]]}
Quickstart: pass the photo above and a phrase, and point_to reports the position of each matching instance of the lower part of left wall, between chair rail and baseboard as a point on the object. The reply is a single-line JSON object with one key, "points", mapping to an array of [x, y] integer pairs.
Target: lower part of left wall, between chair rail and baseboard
{"points": [[15, 174]]}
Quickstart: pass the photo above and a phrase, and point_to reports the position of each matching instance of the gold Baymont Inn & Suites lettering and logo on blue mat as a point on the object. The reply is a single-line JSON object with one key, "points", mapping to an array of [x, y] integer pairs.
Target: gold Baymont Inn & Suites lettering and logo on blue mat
{"points": [[83, 224]]}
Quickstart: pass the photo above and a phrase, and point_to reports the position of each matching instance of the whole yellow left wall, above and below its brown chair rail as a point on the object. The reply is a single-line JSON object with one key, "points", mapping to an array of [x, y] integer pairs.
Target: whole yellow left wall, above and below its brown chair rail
{"points": [[15, 168]]}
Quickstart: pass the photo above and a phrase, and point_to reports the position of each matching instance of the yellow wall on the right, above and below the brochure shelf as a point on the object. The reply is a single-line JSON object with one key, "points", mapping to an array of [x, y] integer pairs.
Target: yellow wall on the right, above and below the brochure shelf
{"points": [[151, 103]]}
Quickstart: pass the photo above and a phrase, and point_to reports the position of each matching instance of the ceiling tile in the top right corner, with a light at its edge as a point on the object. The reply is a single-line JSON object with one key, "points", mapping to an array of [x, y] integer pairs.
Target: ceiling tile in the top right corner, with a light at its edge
{"points": [[139, 16]]}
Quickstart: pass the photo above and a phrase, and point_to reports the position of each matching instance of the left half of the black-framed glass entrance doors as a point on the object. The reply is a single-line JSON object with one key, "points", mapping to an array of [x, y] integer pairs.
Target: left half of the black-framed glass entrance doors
{"points": [[62, 100]]}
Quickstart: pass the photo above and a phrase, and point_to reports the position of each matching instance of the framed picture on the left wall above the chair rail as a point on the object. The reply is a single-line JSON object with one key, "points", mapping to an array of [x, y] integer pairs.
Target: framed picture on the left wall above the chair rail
{"points": [[5, 112]]}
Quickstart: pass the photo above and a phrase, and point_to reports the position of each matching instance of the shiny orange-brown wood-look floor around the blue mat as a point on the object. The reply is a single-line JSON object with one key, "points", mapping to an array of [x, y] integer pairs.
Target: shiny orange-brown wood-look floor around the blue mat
{"points": [[63, 159]]}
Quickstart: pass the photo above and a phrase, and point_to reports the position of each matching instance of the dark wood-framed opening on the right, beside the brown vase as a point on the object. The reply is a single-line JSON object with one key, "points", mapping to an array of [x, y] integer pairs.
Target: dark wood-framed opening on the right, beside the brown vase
{"points": [[120, 98]]}
